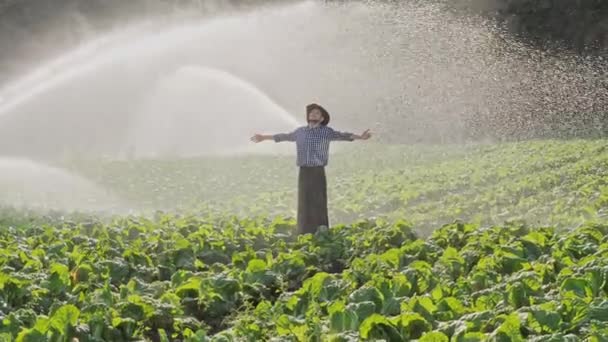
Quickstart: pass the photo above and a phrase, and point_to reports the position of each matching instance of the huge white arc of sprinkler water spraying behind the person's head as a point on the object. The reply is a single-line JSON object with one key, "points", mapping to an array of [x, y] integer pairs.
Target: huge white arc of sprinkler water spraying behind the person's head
{"points": [[204, 86]]}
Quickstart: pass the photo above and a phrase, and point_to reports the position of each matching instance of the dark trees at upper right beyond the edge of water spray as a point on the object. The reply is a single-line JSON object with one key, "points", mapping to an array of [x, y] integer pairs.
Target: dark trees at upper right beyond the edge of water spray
{"points": [[577, 28]]}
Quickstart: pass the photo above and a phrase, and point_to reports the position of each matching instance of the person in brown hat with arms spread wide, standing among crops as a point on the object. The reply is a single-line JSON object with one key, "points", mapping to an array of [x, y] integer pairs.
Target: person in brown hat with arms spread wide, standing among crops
{"points": [[312, 143]]}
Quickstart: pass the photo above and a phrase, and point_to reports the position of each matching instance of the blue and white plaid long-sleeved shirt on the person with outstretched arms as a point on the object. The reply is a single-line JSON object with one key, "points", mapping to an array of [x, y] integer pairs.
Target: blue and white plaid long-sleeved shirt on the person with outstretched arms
{"points": [[312, 143]]}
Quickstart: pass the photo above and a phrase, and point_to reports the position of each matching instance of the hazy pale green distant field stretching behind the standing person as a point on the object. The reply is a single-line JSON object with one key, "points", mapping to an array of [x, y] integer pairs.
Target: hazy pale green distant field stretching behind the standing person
{"points": [[557, 183]]}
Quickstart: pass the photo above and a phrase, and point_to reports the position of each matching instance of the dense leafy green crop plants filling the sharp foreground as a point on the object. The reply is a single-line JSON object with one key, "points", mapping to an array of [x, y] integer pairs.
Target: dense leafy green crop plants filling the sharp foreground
{"points": [[221, 278]]}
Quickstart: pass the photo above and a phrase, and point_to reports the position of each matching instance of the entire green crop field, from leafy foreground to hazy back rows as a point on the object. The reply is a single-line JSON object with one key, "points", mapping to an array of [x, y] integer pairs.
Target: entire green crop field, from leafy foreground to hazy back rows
{"points": [[496, 242]]}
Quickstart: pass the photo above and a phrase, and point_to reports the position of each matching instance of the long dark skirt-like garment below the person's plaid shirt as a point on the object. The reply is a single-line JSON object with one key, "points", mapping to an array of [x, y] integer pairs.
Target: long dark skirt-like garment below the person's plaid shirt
{"points": [[312, 199]]}
